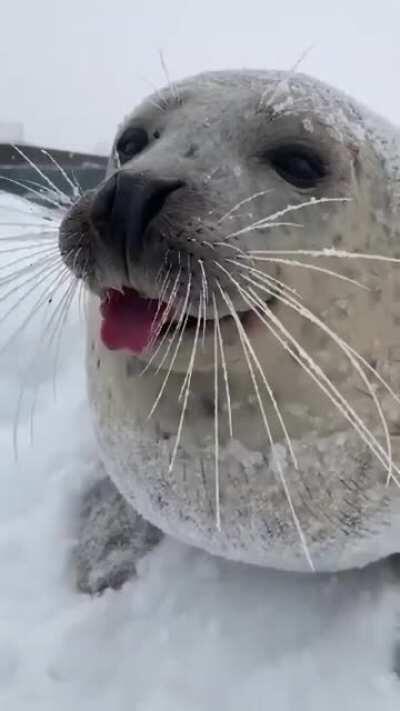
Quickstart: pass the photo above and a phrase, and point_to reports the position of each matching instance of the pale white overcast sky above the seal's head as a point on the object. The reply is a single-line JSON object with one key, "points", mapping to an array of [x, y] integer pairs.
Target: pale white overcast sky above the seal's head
{"points": [[71, 69]]}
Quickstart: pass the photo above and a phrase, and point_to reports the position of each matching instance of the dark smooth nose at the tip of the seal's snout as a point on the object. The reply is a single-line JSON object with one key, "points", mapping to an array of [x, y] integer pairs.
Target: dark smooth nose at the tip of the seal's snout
{"points": [[126, 204]]}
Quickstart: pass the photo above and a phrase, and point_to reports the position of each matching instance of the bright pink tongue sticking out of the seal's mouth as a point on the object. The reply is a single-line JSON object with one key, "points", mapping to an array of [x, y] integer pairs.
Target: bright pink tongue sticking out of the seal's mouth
{"points": [[128, 320]]}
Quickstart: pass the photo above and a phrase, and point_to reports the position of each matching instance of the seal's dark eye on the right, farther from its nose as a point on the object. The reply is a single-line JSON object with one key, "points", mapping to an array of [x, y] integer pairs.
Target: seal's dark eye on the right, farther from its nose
{"points": [[298, 165]]}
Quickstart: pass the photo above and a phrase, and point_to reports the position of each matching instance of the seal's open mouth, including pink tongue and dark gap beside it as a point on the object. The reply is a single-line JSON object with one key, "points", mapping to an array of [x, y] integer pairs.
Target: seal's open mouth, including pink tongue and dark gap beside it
{"points": [[132, 322]]}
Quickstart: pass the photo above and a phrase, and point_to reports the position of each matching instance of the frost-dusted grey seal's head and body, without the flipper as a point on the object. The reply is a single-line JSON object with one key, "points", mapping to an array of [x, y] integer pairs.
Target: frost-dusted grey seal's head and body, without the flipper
{"points": [[241, 261]]}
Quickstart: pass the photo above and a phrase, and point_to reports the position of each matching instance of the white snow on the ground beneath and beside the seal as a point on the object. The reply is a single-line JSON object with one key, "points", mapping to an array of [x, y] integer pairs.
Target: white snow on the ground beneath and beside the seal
{"points": [[191, 632]]}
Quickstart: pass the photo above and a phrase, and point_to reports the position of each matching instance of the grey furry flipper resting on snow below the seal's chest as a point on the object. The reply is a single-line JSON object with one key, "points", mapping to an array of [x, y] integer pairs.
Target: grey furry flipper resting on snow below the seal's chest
{"points": [[112, 537]]}
